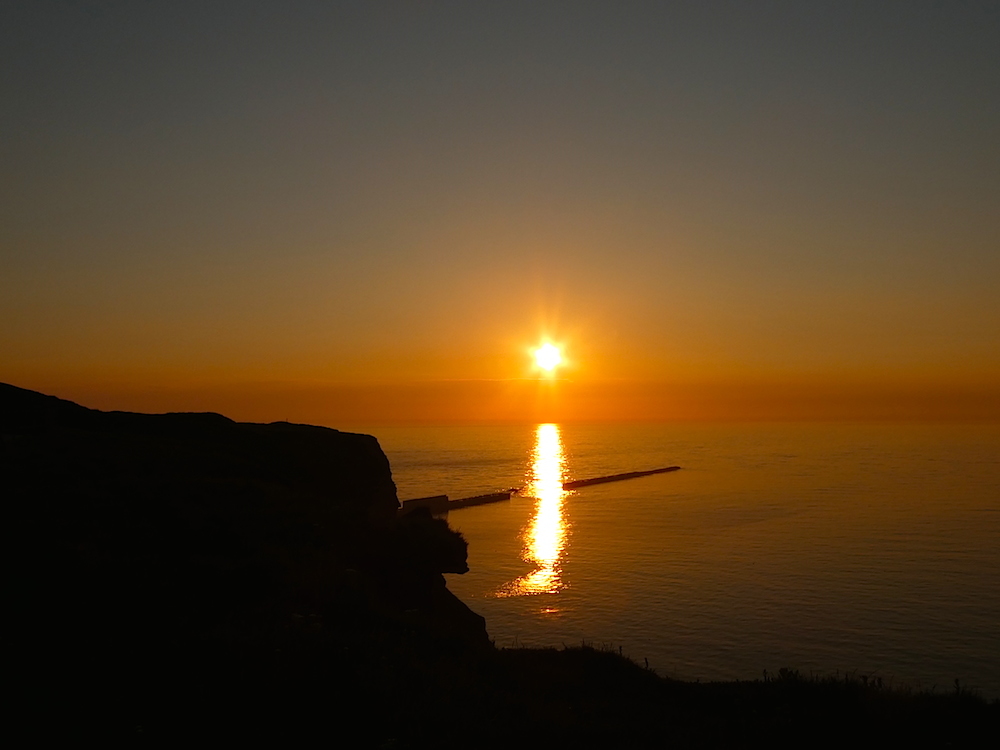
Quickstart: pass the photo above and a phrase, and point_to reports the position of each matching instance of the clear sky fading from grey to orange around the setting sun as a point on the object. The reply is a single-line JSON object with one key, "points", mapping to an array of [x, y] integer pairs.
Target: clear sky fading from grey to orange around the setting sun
{"points": [[350, 211]]}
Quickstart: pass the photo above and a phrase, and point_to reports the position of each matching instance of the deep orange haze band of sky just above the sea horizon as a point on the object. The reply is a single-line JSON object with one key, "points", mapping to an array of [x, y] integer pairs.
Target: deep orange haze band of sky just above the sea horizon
{"points": [[344, 406]]}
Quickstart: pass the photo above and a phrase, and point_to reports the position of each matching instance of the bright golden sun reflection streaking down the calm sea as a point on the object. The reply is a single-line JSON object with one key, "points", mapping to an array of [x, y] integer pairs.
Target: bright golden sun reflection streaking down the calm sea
{"points": [[545, 536]]}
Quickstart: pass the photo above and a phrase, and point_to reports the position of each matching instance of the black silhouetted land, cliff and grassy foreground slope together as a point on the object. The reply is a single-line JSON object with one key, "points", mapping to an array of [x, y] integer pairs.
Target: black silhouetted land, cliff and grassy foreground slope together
{"points": [[187, 578]]}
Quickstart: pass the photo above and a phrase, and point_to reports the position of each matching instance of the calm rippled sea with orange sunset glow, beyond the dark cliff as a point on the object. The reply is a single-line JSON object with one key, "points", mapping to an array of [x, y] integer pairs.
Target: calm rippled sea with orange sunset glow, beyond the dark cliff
{"points": [[824, 548]]}
